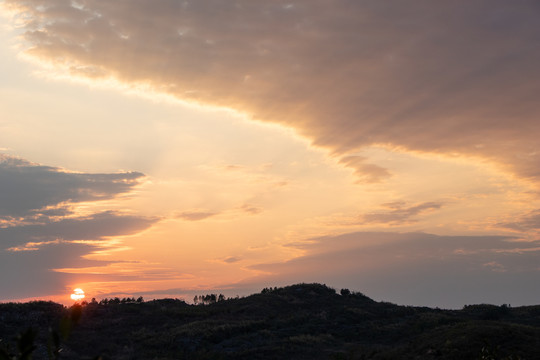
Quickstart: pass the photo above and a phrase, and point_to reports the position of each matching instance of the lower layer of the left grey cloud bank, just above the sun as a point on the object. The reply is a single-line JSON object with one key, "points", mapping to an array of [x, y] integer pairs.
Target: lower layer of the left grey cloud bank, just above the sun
{"points": [[32, 252]]}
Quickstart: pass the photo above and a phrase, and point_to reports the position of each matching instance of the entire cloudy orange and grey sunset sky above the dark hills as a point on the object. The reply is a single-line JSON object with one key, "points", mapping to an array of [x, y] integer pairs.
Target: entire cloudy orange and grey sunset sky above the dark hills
{"points": [[170, 148]]}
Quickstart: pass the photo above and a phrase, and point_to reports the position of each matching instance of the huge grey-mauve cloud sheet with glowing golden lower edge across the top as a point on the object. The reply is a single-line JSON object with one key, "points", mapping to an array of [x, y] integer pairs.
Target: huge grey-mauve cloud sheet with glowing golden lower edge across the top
{"points": [[444, 77]]}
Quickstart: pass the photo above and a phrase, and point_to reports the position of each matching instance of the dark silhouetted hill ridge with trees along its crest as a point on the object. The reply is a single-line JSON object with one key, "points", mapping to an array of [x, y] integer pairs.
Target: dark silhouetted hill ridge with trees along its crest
{"points": [[304, 321]]}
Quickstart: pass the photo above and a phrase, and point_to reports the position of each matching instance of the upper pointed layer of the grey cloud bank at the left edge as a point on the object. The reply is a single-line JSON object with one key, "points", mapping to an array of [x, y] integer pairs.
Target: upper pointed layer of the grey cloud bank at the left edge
{"points": [[28, 188]]}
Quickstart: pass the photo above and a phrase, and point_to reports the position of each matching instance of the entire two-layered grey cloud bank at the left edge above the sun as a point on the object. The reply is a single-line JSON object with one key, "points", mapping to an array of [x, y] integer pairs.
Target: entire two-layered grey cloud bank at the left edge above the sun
{"points": [[41, 231]]}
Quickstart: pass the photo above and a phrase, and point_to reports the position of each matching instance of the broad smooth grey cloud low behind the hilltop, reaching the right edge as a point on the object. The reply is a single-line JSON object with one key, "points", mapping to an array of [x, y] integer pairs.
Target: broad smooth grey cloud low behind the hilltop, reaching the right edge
{"points": [[417, 268]]}
